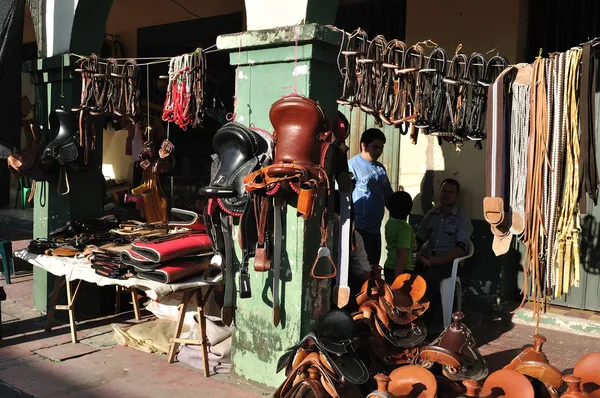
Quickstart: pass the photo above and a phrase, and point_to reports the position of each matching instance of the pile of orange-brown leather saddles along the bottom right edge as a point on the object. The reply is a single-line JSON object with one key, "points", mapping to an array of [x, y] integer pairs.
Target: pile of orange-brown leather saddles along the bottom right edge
{"points": [[528, 375]]}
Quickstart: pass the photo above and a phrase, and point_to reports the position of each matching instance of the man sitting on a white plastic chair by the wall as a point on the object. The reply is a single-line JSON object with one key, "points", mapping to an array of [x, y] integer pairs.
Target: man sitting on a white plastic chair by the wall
{"points": [[446, 229]]}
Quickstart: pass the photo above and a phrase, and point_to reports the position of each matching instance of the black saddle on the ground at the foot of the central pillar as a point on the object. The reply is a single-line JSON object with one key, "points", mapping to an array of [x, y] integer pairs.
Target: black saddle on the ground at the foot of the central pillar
{"points": [[335, 338]]}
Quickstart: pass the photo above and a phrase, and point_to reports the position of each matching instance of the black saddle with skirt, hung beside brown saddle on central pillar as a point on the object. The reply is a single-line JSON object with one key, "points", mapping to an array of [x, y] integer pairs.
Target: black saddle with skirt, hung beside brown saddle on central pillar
{"points": [[239, 151]]}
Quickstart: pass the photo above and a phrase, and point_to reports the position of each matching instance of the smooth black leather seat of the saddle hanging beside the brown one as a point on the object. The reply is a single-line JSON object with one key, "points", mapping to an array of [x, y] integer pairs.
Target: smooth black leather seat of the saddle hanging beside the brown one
{"points": [[236, 148]]}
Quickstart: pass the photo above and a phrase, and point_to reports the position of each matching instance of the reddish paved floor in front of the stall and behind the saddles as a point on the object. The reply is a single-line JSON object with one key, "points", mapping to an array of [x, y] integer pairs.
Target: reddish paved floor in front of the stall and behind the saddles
{"points": [[40, 364]]}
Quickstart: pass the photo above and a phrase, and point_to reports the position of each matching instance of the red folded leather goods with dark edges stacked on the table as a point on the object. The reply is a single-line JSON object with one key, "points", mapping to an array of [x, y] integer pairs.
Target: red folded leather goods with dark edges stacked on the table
{"points": [[171, 258]]}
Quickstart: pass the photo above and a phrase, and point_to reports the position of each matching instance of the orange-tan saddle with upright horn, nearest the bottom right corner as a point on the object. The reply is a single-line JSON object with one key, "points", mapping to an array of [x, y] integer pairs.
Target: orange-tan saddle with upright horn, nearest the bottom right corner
{"points": [[532, 362]]}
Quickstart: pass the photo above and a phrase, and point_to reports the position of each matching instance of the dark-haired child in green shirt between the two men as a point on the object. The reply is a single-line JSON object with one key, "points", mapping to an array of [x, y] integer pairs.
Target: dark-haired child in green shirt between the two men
{"points": [[400, 237]]}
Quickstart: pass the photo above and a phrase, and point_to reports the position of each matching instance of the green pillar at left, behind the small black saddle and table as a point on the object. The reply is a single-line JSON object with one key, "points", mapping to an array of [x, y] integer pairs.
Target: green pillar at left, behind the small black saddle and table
{"points": [[55, 87]]}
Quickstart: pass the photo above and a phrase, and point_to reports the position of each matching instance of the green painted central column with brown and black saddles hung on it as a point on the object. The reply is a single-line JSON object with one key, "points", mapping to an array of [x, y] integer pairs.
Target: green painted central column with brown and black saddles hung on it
{"points": [[270, 65]]}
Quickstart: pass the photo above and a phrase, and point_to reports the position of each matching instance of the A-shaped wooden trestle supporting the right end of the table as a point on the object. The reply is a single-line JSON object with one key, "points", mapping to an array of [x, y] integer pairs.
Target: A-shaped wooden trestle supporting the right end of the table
{"points": [[176, 340]]}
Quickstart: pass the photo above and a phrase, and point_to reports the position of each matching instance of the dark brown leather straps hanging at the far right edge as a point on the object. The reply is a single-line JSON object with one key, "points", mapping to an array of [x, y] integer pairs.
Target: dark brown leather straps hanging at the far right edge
{"points": [[588, 169]]}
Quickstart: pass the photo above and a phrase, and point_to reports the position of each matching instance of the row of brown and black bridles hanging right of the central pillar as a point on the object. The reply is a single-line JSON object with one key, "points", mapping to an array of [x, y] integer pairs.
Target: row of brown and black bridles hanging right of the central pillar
{"points": [[401, 86]]}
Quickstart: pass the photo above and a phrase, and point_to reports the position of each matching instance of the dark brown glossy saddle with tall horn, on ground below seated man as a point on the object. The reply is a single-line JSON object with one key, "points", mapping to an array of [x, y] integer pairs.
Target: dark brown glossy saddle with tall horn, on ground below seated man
{"points": [[455, 350]]}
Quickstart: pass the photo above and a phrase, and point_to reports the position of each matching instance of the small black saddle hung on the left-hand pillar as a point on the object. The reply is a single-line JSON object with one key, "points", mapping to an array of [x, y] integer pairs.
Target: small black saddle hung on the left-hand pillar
{"points": [[62, 148]]}
